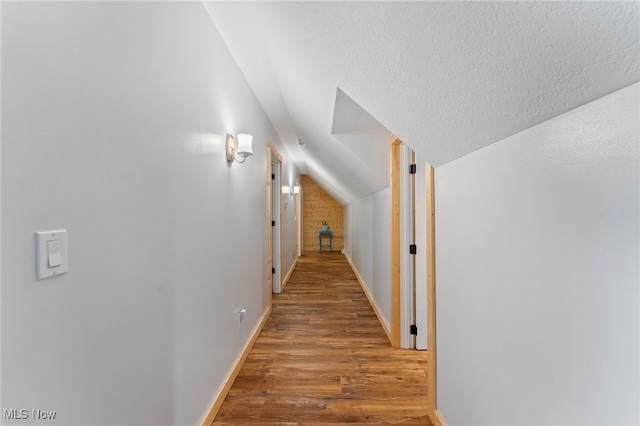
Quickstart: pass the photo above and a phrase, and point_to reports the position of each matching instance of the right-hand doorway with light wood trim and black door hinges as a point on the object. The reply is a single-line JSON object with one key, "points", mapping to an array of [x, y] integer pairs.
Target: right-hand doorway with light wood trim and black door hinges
{"points": [[413, 258]]}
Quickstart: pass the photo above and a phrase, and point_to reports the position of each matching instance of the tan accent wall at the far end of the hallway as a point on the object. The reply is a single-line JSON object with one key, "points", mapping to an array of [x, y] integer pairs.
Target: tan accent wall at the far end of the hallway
{"points": [[317, 205]]}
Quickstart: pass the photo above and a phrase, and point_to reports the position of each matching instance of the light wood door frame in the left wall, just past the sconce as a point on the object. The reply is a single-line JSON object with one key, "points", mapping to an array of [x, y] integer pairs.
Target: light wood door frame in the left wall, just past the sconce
{"points": [[272, 154]]}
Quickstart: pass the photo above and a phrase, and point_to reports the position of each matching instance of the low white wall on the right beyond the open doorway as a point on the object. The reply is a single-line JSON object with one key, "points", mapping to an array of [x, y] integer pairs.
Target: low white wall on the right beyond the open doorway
{"points": [[367, 236]]}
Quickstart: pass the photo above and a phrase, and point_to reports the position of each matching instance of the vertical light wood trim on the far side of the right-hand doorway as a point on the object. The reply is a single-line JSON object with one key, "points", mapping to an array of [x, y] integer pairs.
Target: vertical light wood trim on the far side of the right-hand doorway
{"points": [[395, 144]]}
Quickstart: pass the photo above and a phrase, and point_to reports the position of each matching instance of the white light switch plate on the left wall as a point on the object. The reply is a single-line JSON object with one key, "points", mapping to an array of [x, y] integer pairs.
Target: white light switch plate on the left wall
{"points": [[51, 249]]}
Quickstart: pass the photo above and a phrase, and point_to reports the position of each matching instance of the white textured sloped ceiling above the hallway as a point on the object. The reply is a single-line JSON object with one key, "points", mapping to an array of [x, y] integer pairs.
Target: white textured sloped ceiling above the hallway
{"points": [[447, 77]]}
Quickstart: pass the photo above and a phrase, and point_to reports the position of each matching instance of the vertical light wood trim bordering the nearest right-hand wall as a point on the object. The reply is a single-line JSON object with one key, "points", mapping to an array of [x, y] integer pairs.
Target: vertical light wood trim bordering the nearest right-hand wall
{"points": [[431, 297]]}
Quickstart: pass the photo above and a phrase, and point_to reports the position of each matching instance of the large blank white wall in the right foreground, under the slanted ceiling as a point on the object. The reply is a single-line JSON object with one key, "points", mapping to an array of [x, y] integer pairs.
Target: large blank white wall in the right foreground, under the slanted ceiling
{"points": [[537, 273]]}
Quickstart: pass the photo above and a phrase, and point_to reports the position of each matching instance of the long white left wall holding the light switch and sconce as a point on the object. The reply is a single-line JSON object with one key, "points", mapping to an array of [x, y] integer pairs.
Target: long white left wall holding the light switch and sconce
{"points": [[114, 116]]}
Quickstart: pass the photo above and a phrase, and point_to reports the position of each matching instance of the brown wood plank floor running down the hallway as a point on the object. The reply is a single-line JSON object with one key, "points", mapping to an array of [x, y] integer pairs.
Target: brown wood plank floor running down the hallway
{"points": [[323, 358]]}
